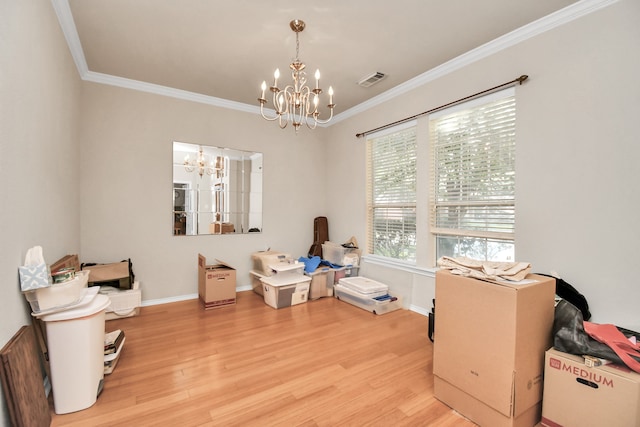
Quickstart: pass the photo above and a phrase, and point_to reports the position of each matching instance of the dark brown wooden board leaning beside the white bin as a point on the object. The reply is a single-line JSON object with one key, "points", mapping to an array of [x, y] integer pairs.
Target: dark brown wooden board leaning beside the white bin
{"points": [[22, 381]]}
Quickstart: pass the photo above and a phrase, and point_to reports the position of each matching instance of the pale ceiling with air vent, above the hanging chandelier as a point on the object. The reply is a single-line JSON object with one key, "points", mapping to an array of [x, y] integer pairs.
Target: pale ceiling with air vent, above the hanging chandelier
{"points": [[219, 52]]}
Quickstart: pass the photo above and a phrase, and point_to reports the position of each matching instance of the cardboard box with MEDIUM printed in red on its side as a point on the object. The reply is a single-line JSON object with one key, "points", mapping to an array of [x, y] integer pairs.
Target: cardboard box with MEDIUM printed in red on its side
{"points": [[576, 395]]}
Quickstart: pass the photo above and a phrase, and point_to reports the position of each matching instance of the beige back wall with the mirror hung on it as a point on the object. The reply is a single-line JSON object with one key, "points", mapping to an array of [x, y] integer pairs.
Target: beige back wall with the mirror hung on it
{"points": [[126, 186]]}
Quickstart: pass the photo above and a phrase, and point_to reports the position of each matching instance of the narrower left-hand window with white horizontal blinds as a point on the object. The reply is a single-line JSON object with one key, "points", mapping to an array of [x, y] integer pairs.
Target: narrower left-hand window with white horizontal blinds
{"points": [[391, 193]]}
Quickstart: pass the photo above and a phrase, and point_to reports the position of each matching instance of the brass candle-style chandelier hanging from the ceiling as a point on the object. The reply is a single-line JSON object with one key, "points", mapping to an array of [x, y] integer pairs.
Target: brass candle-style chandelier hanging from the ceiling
{"points": [[296, 103]]}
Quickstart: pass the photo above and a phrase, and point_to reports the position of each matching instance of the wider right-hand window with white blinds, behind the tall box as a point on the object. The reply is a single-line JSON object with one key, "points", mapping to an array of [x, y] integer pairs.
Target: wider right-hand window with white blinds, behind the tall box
{"points": [[472, 191]]}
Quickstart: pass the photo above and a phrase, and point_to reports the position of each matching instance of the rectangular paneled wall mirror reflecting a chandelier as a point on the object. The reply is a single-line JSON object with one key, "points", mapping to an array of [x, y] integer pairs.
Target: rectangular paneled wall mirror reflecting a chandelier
{"points": [[216, 190]]}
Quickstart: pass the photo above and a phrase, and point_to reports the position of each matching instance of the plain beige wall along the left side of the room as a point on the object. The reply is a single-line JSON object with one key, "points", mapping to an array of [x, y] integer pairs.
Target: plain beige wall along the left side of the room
{"points": [[39, 107]]}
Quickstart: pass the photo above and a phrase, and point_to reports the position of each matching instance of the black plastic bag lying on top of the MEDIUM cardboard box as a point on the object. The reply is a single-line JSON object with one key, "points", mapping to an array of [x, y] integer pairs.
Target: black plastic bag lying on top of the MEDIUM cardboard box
{"points": [[570, 337]]}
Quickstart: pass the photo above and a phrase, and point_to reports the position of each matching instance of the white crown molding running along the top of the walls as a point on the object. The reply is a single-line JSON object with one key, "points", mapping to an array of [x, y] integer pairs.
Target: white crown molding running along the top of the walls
{"points": [[556, 19]]}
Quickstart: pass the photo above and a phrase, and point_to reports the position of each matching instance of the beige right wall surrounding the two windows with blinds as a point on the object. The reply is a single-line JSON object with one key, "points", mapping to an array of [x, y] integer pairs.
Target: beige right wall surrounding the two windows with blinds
{"points": [[577, 197]]}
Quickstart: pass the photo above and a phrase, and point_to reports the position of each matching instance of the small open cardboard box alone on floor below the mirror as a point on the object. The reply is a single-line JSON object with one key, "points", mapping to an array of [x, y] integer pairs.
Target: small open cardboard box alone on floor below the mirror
{"points": [[216, 283]]}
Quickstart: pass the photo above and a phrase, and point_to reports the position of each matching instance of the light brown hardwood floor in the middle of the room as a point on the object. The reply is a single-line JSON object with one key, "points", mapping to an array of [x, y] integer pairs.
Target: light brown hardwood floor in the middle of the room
{"points": [[322, 363]]}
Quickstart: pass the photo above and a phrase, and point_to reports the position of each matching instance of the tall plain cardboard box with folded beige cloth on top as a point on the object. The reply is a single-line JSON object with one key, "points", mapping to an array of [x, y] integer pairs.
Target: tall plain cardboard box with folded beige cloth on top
{"points": [[489, 347]]}
